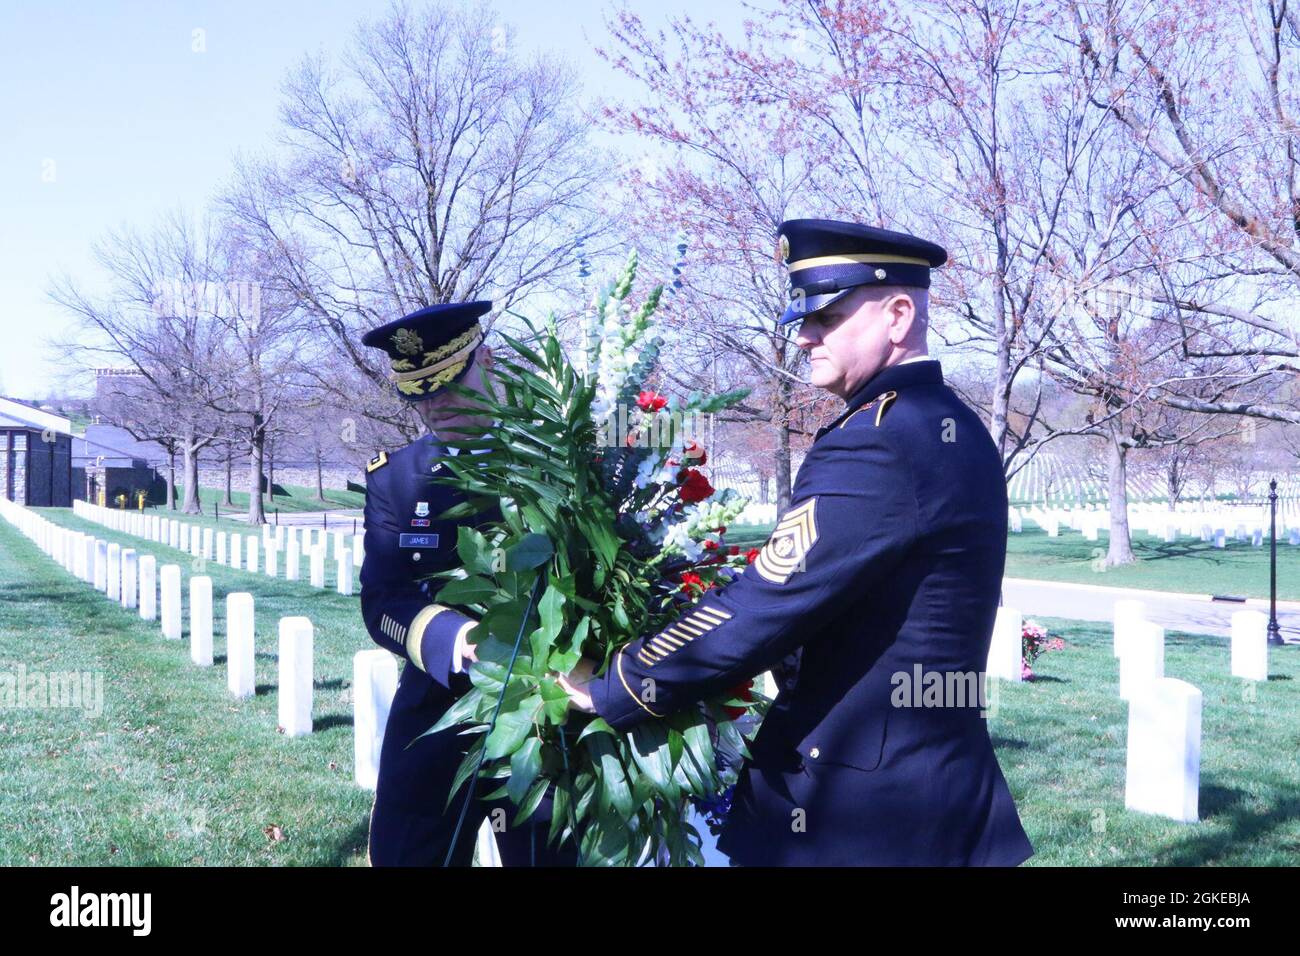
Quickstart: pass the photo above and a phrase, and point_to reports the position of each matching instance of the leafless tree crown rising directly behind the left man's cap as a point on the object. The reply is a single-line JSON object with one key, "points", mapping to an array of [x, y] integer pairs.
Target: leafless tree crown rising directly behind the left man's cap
{"points": [[427, 166]]}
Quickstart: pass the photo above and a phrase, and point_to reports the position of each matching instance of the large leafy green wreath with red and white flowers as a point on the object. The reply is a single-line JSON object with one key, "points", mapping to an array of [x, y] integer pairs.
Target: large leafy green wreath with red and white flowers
{"points": [[609, 531]]}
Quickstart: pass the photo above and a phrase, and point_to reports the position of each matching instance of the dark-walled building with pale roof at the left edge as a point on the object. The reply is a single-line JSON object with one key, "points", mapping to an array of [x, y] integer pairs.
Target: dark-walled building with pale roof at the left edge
{"points": [[36, 456]]}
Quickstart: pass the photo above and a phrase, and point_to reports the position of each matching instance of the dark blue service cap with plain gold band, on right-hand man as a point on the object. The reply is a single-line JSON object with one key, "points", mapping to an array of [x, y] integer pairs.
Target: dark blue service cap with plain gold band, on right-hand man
{"points": [[827, 259]]}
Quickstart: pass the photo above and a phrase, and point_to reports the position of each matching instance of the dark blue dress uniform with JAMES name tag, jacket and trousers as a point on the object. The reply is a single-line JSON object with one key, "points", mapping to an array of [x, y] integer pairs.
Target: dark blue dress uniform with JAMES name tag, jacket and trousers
{"points": [[405, 542]]}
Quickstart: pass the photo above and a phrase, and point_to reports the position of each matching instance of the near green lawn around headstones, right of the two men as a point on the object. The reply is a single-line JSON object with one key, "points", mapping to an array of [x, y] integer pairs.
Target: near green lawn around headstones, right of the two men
{"points": [[1061, 742]]}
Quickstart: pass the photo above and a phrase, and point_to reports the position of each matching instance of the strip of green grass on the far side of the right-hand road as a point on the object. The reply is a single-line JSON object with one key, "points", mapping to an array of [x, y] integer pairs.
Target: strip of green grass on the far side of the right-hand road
{"points": [[1191, 566]]}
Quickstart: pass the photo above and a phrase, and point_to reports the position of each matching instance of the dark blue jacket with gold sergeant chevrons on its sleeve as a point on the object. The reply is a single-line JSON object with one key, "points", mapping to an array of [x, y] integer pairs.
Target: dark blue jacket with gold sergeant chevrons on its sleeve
{"points": [[891, 557]]}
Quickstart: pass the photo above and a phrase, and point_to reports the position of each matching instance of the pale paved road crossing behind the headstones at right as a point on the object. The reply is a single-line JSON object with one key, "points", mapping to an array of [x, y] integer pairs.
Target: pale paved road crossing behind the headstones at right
{"points": [[1190, 613]]}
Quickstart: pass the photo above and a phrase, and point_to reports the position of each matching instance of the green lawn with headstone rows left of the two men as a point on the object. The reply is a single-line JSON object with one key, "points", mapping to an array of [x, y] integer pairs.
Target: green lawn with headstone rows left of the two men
{"points": [[174, 772]]}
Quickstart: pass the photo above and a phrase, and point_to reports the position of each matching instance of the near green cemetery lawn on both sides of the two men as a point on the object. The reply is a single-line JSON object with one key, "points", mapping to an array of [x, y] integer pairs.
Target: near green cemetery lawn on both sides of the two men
{"points": [[175, 772]]}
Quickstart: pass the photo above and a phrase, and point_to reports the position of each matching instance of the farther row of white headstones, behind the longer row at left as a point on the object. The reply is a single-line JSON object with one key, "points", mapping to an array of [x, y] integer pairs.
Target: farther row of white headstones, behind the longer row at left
{"points": [[242, 552]]}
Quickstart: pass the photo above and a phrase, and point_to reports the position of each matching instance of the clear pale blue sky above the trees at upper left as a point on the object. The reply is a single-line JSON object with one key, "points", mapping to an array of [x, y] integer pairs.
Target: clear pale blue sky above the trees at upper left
{"points": [[109, 116]]}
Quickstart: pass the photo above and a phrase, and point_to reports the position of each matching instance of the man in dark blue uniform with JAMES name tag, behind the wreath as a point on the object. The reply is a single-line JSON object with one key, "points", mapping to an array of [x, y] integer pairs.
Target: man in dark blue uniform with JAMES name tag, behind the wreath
{"points": [[406, 542]]}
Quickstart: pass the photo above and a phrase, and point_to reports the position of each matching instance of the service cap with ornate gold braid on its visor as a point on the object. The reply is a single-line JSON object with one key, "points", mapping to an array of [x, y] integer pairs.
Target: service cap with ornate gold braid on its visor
{"points": [[431, 348]]}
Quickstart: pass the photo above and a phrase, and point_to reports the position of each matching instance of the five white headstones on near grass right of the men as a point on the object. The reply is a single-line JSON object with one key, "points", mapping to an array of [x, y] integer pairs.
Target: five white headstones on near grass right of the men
{"points": [[1164, 755]]}
